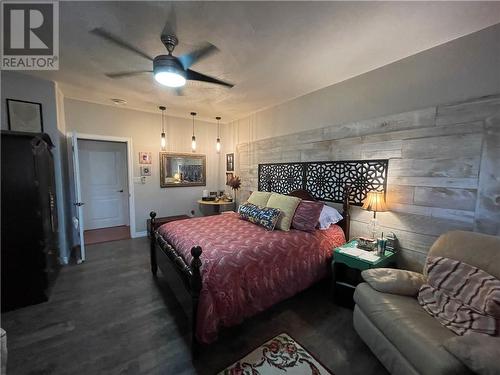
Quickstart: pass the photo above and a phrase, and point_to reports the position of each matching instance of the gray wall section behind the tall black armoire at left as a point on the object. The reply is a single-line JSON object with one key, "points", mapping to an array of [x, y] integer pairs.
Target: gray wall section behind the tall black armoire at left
{"points": [[26, 87]]}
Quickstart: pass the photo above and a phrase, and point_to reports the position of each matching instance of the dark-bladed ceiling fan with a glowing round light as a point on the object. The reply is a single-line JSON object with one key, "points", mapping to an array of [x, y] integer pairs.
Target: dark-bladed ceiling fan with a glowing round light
{"points": [[168, 70]]}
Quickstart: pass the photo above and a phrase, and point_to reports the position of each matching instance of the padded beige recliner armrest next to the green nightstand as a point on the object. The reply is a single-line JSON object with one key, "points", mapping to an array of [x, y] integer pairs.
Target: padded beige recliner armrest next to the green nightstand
{"points": [[394, 281]]}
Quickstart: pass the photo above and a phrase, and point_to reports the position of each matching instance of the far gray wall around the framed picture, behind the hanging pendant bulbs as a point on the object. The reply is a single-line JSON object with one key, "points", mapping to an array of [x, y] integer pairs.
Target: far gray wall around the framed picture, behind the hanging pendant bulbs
{"points": [[144, 129]]}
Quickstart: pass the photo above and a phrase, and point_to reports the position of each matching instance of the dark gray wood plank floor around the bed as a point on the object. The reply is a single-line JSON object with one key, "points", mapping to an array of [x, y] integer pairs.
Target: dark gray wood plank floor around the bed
{"points": [[108, 316]]}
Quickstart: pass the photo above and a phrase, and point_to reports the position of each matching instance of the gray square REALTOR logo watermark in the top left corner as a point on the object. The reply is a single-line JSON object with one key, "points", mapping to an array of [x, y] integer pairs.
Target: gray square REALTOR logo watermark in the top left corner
{"points": [[30, 35]]}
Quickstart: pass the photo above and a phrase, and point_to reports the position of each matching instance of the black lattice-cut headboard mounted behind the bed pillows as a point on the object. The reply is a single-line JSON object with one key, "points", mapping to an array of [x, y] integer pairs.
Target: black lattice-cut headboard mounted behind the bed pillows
{"points": [[326, 180]]}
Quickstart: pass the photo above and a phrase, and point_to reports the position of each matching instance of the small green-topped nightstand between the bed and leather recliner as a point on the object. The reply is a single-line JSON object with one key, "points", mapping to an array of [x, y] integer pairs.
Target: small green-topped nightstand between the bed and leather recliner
{"points": [[351, 262]]}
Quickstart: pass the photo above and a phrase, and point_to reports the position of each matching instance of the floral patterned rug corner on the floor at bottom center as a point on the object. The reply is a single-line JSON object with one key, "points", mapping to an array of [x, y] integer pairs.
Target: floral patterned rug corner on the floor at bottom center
{"points": [[280, 355]]}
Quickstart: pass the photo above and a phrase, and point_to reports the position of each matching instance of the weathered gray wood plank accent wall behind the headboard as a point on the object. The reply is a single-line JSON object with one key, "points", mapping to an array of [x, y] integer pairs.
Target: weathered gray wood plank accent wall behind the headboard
{"points": [[444, 169]]}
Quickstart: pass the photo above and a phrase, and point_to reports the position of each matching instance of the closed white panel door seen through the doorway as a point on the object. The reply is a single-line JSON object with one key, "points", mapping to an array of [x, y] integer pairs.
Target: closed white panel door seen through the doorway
{"points": [[103, 183]]}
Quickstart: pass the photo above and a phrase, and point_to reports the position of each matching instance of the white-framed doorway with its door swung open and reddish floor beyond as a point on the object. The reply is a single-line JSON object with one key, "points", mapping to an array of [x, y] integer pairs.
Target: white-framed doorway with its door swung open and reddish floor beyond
{"points": [[103, 190]]}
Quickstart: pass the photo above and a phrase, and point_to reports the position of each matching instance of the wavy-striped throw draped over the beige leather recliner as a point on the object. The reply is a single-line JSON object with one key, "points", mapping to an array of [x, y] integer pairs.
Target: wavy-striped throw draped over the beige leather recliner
{"points": [[461, 297]]}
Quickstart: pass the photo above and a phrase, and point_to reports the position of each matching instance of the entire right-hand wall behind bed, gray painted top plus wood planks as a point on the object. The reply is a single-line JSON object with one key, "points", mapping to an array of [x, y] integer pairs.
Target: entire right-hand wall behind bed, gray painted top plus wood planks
{"points": [[444, 164]]}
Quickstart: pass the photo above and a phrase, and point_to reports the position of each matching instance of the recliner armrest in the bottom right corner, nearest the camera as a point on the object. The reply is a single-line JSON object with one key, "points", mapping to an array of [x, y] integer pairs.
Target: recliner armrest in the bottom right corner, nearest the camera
{"points": [[478, 352]]}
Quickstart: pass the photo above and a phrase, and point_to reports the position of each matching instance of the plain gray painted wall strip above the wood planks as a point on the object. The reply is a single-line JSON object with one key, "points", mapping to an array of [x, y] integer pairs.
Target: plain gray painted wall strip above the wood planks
{"points": [[462, 69]]}
